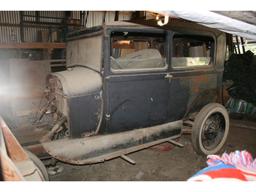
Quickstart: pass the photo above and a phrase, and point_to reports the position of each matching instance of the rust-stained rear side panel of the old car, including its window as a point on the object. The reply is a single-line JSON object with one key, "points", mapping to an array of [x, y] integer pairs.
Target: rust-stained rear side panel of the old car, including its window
{"points": [[195, 81]]}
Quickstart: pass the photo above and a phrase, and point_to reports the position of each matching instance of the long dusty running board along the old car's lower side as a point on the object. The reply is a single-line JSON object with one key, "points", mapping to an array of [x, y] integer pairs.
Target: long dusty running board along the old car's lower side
{"points": [[100, 148]]}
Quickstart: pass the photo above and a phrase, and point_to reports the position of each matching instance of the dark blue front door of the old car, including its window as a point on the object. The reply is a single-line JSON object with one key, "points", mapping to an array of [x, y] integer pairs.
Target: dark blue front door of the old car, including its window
{"points": [[136, 80]]}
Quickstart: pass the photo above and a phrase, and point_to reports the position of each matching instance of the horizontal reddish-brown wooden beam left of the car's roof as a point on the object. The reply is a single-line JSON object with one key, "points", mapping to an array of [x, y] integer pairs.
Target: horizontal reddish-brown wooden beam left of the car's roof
{"points": [[33, 46]]}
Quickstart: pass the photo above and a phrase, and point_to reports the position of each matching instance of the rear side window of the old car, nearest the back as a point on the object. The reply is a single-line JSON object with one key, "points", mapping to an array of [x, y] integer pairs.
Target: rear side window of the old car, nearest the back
{"points": [[192, 51]]}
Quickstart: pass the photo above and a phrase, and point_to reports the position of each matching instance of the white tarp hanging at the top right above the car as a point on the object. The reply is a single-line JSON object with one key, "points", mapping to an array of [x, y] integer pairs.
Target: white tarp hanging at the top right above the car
{"points": [[214, 20]]}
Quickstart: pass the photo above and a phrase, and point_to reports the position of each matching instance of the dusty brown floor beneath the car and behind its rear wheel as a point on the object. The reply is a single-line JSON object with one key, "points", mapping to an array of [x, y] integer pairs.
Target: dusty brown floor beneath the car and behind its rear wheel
{"points": [[159, 163]]}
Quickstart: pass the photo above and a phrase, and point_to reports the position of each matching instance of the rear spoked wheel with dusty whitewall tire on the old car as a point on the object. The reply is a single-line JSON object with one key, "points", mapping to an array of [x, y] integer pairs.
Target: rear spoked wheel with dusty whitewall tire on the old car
{"points": [[210, 129]]}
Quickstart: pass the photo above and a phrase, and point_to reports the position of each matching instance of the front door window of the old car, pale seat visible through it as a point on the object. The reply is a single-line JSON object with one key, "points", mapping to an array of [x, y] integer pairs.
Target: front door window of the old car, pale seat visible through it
{"points": [[137, 50]]}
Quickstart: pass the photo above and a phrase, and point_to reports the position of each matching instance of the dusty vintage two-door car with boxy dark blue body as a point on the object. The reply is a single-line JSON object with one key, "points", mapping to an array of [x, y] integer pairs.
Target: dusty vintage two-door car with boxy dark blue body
{"points": [[130, 86]]}
